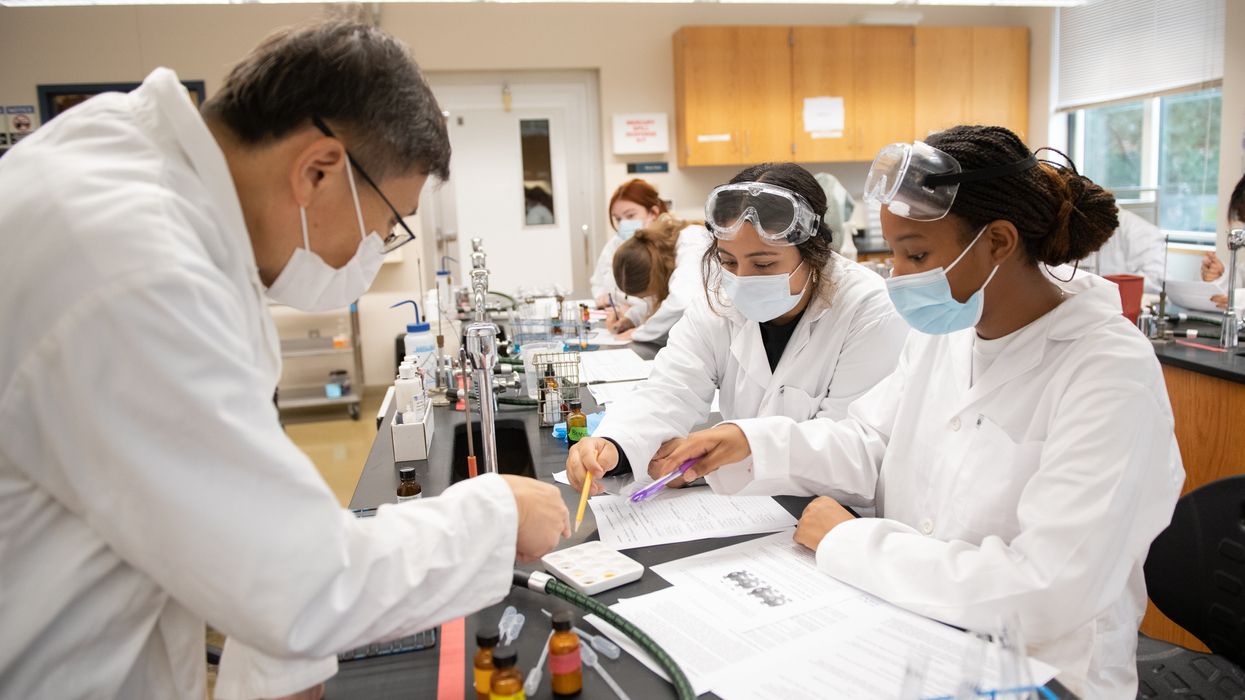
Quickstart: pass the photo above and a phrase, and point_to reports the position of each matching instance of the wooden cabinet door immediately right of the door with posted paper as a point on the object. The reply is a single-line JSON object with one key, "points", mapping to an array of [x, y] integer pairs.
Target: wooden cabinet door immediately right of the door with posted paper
{"points": [[886, 104]]}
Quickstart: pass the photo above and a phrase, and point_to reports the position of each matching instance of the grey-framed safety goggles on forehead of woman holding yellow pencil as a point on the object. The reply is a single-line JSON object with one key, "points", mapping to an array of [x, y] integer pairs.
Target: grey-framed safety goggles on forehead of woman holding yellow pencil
{"points": [[780, 216]]}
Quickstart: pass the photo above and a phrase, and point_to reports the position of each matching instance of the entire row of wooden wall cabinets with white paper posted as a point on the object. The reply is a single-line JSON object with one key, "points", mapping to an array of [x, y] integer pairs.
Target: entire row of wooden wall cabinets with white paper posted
{"points": [[740, 92]]}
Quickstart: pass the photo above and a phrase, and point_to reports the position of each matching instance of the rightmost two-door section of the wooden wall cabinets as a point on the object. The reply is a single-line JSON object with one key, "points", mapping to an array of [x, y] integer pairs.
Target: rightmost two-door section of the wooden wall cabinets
{"points": [[972, 75]]}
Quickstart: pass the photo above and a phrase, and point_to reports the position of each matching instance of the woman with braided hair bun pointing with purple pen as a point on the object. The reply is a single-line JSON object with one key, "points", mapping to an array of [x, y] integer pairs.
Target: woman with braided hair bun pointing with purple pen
{"points": [[1022, 458]]}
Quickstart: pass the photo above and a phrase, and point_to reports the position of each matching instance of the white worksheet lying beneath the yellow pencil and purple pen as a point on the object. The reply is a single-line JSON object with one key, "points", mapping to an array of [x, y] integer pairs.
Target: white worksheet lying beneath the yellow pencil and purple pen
{"points": [[683, 516]]}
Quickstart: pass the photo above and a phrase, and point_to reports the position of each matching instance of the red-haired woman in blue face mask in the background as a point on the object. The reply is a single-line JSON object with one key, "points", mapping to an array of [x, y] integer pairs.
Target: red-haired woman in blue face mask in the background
{"points": [[633, 206]]}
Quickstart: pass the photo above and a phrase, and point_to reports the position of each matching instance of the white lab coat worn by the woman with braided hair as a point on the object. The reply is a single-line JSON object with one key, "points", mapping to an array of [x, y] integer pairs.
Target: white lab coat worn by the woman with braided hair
{"points": [[1035, 493]]}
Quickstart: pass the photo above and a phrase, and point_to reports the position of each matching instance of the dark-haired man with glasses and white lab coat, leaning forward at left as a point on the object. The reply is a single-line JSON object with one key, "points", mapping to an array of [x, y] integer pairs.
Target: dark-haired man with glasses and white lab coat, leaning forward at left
{"points": [[146, 485]]}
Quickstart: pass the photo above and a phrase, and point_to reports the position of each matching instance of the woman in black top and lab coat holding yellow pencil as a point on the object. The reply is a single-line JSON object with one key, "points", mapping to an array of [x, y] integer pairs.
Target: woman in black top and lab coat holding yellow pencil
{"points": [[782, 327]]}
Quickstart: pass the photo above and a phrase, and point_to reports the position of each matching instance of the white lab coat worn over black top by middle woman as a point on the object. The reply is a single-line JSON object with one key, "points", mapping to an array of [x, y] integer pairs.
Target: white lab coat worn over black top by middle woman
{"points": [[839, 352]]}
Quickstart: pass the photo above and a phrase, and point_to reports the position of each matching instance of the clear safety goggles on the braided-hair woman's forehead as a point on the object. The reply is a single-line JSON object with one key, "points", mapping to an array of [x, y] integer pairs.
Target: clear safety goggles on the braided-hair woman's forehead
{"points": [[919, 182]]}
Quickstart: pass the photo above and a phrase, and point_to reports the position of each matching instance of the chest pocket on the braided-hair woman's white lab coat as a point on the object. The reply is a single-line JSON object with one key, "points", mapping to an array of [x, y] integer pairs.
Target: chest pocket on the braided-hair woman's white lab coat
{"points": [[990, 481]]}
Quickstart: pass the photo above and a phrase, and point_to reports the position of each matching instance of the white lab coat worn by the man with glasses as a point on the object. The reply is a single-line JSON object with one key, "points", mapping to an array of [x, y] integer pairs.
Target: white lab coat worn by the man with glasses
{"points": [[146, 485]]}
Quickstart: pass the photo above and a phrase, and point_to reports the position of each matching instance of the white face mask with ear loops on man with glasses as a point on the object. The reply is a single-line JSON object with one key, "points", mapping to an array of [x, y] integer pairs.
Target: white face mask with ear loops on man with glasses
{"points": [[311, 285]]}
